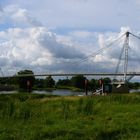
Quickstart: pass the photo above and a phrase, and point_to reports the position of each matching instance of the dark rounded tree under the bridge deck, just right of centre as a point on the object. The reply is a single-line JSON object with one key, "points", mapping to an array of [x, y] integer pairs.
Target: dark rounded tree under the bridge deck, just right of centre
{"points": [[78, 81]]}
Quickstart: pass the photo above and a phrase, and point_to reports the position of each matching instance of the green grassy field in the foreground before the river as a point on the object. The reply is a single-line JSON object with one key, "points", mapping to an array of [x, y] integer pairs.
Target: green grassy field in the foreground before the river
{"points": [[42, 117]]}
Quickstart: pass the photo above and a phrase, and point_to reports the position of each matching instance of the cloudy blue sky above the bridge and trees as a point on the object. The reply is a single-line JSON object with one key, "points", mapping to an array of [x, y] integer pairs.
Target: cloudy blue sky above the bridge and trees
{"points": [[57, 36]]}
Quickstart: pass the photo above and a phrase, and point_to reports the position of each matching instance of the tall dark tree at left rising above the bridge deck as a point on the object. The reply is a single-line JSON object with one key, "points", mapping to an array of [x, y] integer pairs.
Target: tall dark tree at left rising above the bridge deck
{"points": [[25, 80]]}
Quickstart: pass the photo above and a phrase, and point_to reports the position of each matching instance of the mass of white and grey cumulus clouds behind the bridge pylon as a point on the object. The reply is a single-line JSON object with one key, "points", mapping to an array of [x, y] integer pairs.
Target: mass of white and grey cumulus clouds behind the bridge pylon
{"points": [[28, 44]]}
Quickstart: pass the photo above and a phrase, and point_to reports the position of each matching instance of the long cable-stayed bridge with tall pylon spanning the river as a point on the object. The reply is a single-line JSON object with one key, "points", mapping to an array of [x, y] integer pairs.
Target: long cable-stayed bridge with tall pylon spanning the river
{"points": [[123, 56]]}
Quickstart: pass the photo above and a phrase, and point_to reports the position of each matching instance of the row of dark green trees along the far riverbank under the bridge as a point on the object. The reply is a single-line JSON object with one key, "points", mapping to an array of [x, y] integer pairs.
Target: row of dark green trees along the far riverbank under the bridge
{"points": [[25, 83]]}
